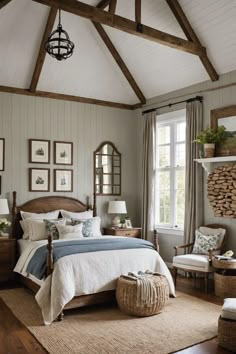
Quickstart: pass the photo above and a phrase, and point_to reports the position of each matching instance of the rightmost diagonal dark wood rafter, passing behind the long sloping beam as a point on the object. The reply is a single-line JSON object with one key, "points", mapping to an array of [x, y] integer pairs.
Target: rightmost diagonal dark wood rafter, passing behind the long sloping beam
{"points": [[191, 35]]}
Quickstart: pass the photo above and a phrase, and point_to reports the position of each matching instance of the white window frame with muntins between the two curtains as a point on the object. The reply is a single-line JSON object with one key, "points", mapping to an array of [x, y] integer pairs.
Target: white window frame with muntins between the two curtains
{"points": [[170, 119]]}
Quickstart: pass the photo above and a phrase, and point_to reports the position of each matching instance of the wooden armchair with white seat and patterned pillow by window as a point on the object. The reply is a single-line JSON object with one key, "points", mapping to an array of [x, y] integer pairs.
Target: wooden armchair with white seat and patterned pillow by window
{"points": [[197, 257]]}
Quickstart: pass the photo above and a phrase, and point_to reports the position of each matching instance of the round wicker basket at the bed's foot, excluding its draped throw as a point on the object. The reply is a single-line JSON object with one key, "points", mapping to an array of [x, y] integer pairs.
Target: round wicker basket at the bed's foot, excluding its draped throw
{"points": [[126, 296]]}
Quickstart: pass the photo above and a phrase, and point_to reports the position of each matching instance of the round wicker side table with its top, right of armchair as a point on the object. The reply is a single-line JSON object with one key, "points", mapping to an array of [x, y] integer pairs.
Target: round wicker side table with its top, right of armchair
{"points": [[225, 277]]}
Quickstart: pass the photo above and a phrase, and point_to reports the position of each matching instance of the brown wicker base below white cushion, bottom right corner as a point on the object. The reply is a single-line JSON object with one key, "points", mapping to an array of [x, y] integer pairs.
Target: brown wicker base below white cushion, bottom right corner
{"points": [[227, 334]]}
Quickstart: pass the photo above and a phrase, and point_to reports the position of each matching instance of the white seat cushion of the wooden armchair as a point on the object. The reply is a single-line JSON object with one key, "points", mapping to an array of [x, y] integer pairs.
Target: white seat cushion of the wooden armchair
{"points": [[193, 261]]}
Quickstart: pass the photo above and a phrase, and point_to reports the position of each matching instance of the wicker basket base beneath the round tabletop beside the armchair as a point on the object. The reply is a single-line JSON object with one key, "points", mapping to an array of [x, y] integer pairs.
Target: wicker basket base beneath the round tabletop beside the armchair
{"points": [[225, 285]]}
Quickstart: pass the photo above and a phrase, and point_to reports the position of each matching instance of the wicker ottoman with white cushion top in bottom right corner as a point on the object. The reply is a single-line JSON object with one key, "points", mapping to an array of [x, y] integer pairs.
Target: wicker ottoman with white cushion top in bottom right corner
{"points": [[227, 325]]}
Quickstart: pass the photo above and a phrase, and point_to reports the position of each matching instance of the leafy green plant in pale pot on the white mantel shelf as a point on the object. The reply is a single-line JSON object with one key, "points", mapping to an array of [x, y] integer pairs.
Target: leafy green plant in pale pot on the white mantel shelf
{"points": [[210, 137]]}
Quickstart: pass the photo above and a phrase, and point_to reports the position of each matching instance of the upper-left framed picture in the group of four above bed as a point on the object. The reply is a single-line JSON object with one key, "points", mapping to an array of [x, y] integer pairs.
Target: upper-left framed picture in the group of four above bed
{"points": [[39, 151]]}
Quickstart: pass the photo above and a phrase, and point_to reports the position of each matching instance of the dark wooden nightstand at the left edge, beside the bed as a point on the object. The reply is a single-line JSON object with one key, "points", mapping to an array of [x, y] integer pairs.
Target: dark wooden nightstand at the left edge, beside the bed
{"points": [[7, 257]]}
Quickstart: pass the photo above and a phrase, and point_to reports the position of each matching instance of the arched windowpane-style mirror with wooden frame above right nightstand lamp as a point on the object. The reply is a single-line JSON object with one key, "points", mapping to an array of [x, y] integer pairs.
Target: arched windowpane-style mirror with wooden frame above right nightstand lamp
{"points": [[107, 170]]}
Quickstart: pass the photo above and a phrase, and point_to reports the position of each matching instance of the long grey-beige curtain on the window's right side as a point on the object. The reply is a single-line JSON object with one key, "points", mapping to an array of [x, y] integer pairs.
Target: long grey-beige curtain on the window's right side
{"points": [[194, 172]]}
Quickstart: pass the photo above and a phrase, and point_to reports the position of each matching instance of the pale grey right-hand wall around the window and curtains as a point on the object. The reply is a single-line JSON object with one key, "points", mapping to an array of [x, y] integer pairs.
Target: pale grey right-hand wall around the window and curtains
{"points": [[211, 100]]}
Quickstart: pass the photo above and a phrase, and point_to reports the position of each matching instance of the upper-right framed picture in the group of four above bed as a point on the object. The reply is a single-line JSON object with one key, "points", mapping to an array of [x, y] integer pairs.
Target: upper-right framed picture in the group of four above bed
{"points": [[63, 153]]}
